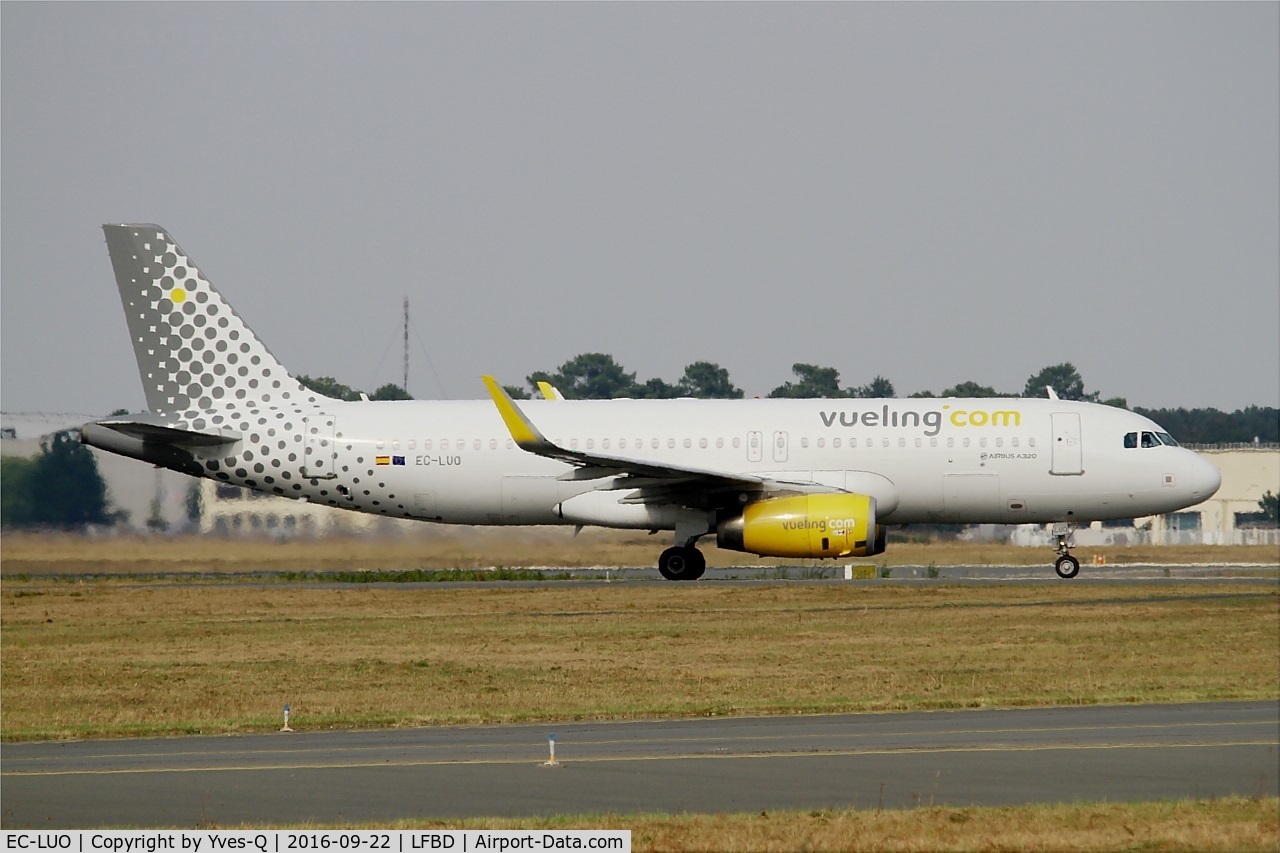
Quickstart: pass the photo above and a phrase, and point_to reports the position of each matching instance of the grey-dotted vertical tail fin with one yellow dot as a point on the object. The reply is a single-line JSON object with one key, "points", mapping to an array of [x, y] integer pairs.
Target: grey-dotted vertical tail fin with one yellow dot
{"points": [[194, 352]]}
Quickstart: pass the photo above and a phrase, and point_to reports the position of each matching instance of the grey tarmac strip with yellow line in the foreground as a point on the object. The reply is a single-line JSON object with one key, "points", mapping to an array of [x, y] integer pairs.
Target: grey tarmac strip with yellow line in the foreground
{"points": [[716, 765]]}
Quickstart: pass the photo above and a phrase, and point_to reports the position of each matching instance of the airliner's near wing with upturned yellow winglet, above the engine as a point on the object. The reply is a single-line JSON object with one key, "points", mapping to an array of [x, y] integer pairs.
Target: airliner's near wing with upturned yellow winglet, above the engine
{"points": [[657, 482]]}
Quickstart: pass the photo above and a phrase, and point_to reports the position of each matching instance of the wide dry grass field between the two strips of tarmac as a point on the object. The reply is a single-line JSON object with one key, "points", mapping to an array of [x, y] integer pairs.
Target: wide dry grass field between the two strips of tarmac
{"points": [[116, 658]]}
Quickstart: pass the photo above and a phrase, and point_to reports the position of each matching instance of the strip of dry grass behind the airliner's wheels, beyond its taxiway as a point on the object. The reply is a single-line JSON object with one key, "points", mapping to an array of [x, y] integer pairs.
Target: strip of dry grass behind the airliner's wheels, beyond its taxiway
{"points": [[440, 548]]}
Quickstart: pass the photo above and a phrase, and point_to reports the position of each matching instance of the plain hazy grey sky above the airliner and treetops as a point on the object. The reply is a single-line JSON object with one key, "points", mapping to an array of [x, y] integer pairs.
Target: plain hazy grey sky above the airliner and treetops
{"points": [[930, 193]]}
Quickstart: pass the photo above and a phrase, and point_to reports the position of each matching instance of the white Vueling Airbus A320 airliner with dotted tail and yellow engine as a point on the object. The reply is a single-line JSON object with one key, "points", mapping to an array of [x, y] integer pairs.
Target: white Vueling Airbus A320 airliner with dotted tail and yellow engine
{"points": [[778, 478]]}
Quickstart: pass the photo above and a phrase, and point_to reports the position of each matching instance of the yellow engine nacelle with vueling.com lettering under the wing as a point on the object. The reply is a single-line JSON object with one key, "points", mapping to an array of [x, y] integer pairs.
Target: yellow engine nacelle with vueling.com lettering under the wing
{"points": [[806, 526]]}
